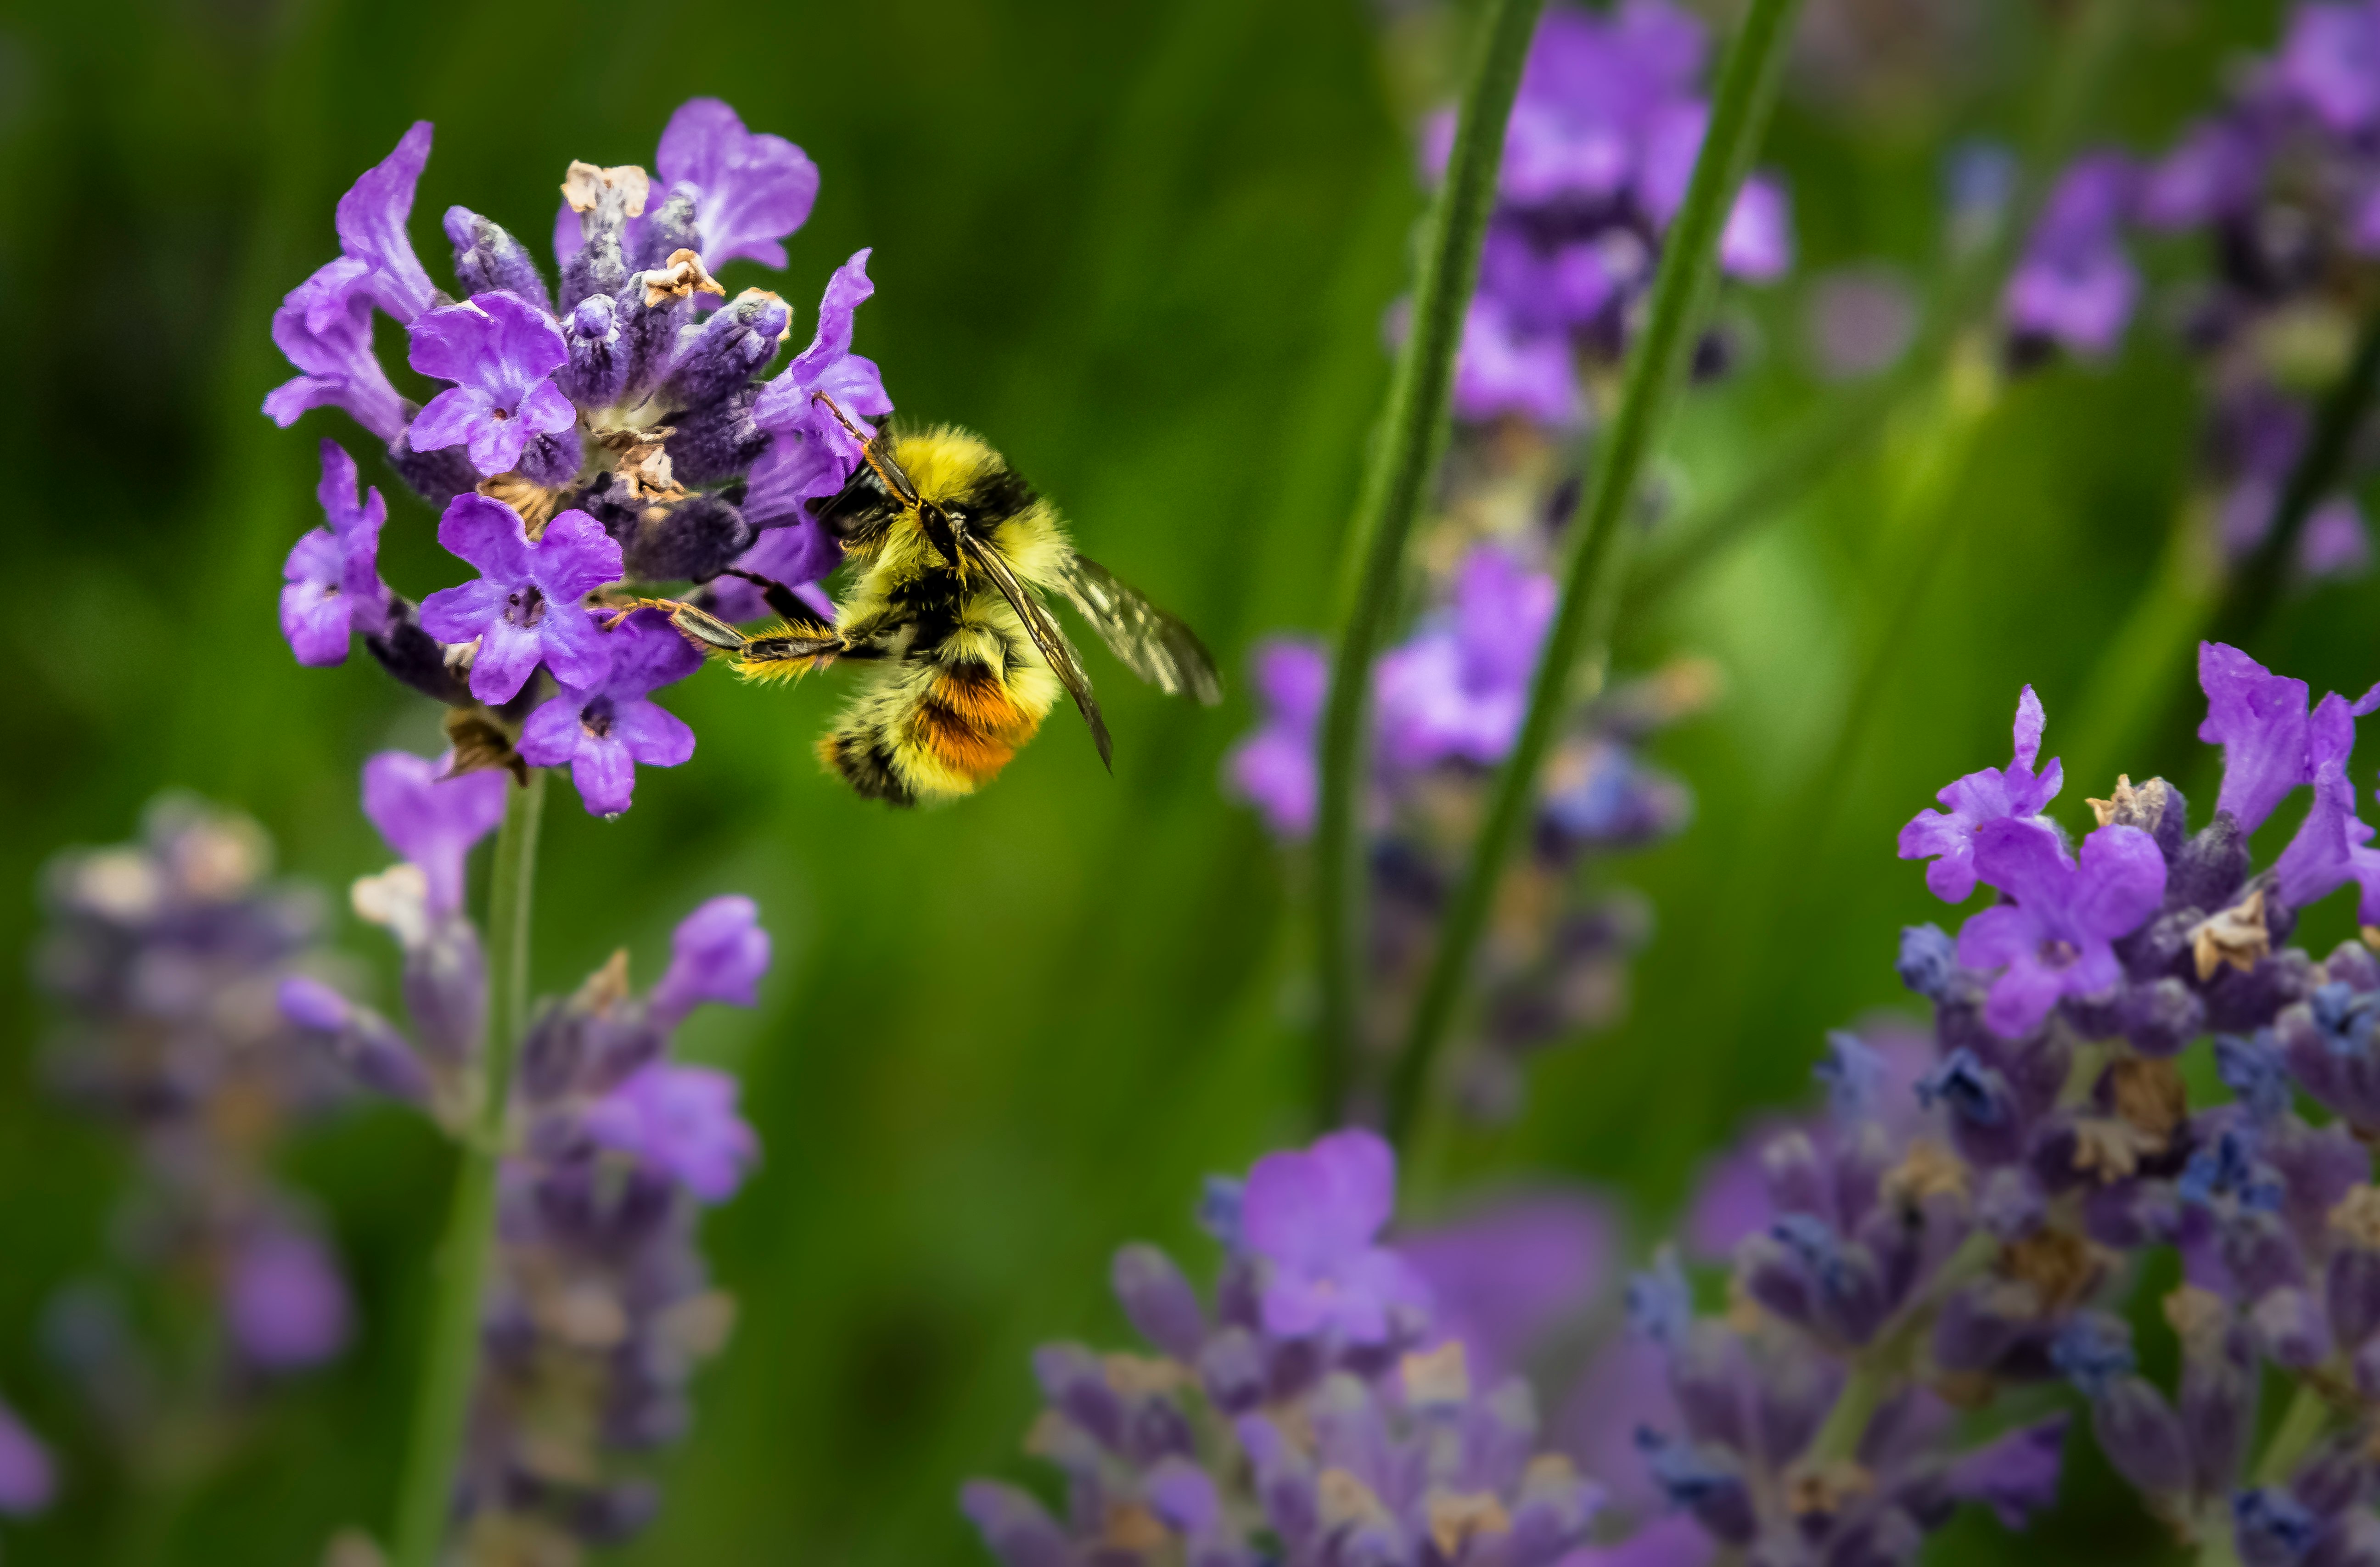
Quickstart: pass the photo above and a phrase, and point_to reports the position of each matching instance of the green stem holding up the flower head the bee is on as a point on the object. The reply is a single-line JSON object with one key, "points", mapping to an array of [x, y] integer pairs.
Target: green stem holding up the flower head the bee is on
{"points": [[451, 1363]]}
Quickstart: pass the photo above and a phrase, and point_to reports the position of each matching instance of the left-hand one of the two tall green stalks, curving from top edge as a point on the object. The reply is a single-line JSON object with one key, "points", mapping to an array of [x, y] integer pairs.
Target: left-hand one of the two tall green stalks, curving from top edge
{"points": [[1408, 449]]}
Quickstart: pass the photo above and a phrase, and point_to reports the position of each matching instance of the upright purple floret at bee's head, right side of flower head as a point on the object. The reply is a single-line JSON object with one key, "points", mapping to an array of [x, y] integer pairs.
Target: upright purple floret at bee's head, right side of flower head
{"points": [[810, 454]]}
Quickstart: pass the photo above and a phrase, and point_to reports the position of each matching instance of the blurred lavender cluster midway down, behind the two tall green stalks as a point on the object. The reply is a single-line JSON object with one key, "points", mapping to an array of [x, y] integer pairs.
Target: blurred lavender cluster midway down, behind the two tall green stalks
{"points": [[1446, 711]]}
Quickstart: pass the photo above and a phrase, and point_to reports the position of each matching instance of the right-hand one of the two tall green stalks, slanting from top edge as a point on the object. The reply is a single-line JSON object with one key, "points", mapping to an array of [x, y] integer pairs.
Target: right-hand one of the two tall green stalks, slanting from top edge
{"points": [[1582, 625]]}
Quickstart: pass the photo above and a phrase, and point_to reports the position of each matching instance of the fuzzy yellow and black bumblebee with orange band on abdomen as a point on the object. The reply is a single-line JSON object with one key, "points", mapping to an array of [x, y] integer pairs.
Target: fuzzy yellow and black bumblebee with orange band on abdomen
{"points": [[956, 554]]}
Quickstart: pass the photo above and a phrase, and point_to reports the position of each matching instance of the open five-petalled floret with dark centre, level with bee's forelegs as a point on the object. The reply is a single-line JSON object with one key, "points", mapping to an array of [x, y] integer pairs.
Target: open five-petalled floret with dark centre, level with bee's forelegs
{"points": [[527, 601]]}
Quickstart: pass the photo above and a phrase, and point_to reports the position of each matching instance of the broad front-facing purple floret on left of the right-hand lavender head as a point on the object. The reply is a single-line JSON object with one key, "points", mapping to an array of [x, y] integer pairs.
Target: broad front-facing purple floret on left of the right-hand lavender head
{"points": [[2055, 939]]}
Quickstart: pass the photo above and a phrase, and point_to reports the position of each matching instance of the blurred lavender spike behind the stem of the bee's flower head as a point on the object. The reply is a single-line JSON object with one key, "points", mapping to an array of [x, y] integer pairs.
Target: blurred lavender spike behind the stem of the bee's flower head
{"points": [[601, 1304]]}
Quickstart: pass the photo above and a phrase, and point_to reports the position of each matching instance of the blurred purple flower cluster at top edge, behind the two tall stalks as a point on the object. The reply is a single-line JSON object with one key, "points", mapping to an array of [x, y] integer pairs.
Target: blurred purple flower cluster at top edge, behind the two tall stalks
{"points": [[1598, 156]]}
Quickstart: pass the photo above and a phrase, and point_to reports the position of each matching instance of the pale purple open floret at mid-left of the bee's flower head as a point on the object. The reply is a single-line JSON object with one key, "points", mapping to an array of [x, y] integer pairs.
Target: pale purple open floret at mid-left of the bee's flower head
{"points": [[501, 354]]}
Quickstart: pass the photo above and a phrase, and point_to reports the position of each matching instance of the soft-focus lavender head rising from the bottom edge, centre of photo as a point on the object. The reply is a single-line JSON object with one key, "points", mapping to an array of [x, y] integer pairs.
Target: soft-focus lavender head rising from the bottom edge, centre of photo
{"points": [[1313, 1413]]}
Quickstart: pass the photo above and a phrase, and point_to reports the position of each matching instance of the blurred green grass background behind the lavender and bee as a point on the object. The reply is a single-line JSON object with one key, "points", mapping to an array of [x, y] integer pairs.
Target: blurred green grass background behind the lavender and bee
{"points": [[1146, 251]]}
